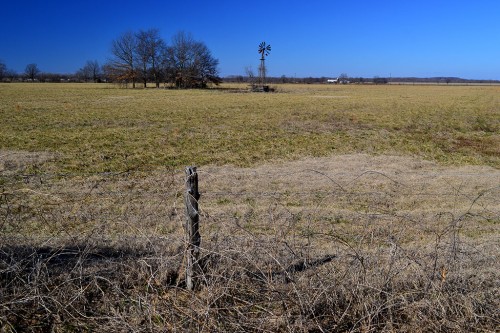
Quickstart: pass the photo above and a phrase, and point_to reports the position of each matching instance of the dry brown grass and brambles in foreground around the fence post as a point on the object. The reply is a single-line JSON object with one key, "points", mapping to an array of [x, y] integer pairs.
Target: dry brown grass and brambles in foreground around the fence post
{"points": [[349, 243]]}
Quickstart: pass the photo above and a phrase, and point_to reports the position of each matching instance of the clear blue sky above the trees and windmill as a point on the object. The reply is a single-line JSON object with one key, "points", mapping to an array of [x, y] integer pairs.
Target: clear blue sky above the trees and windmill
{"points": [[309, 38]]}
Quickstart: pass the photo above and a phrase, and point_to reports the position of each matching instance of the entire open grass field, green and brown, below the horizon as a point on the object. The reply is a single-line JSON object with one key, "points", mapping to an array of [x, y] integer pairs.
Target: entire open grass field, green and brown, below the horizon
{"points": [[324, 208]]}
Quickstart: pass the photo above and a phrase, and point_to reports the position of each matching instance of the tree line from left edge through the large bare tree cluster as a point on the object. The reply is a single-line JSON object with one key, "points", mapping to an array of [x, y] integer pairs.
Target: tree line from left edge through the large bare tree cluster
{"points": [[140, 57]]}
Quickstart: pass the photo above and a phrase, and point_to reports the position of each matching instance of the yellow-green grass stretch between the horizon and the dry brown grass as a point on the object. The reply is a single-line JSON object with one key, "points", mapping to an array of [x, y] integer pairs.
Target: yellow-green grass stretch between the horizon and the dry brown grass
{"points": [[104, 128]]}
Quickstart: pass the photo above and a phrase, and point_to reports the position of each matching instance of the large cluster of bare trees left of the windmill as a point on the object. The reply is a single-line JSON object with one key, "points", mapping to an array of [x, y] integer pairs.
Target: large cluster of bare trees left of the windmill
{"points": [[145, 57]]}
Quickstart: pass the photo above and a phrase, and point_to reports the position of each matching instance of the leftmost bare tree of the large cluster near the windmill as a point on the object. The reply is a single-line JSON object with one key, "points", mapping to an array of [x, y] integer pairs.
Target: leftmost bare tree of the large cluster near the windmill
{"points": [[122, 66]]}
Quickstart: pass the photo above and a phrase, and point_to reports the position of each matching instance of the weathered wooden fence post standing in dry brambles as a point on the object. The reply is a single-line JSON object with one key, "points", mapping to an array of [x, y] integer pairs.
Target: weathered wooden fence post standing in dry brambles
{"points": [[192, 226]]}
